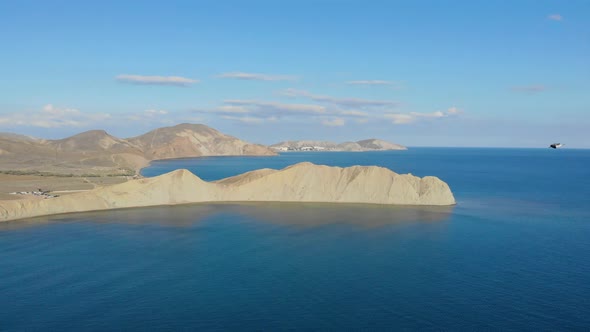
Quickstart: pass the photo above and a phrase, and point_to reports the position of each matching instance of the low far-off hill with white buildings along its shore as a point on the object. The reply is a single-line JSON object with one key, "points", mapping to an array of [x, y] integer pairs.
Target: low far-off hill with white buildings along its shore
{"points": [[364, 145]]}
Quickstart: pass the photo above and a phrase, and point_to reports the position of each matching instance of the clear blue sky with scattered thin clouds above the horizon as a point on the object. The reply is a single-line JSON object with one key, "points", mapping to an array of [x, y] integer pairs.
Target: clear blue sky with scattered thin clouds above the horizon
{"points": [[419, 73]]}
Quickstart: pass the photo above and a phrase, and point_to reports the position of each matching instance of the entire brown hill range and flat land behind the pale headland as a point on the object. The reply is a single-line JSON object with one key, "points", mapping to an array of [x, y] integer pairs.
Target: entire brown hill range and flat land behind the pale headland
{"points": [[96, 152]]}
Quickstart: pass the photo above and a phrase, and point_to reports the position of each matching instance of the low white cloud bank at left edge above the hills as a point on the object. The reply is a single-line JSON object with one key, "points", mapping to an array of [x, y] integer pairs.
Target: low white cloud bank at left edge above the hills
{"points": [[50, 116]]}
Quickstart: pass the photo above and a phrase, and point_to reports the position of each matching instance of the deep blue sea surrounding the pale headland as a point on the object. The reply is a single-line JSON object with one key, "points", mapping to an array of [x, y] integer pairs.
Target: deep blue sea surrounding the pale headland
{"points": [[513, 254]]}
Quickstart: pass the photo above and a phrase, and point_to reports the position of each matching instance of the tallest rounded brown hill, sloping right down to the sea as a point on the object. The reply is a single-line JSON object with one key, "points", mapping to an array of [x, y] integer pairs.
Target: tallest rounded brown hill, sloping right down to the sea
{"points": [[193, 140]]}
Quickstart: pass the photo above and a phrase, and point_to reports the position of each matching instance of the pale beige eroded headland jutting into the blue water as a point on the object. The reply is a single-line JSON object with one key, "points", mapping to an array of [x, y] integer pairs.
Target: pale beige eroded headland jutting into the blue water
{"points": [[304, 182]]}
